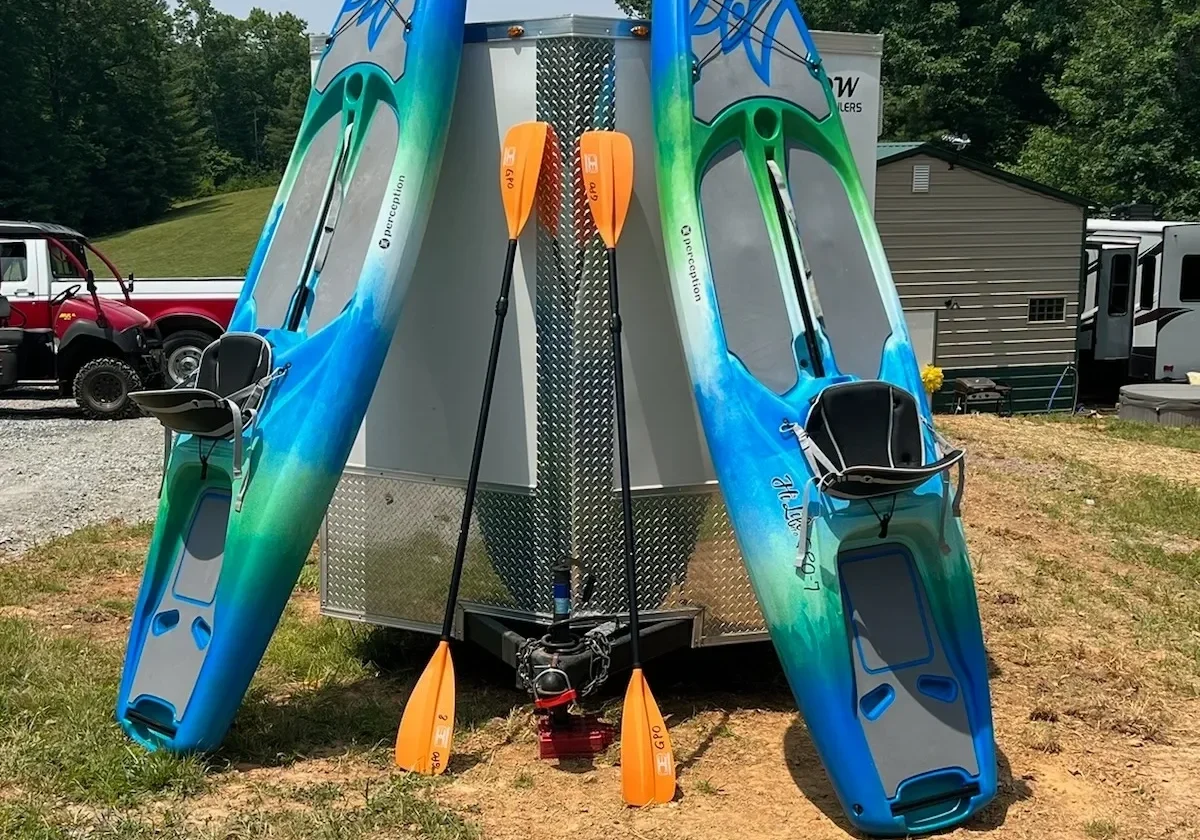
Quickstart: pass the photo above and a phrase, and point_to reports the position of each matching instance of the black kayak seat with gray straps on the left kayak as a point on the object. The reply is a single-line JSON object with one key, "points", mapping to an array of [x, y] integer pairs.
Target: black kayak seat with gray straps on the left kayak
{"points": [[221, 399]]}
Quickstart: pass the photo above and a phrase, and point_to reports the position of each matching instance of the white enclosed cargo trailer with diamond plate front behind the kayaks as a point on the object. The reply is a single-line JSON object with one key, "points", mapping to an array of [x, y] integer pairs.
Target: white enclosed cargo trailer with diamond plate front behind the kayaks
{"points": [[549, 494]]}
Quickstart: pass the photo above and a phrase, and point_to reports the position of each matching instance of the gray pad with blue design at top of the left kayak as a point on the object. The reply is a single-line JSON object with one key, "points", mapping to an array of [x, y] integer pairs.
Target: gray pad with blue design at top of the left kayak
{"points": [[377, 35]]}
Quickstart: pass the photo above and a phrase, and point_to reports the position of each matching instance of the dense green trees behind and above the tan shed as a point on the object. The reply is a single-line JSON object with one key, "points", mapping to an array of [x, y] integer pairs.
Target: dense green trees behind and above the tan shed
{"points": [[1096, 98]]}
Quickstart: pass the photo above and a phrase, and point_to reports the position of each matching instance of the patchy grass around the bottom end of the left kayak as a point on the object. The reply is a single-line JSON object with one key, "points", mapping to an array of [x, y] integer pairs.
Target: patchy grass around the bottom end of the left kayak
{"points": [[68, 771]]}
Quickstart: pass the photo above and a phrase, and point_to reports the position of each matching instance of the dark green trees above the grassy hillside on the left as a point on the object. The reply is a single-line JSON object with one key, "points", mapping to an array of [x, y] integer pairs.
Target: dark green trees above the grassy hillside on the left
{"points": [[113, 110]]}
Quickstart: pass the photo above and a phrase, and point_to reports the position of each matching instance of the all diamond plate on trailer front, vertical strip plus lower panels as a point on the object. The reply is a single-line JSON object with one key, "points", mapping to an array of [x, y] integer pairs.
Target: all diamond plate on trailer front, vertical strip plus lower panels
{"points": [[391, 539]]}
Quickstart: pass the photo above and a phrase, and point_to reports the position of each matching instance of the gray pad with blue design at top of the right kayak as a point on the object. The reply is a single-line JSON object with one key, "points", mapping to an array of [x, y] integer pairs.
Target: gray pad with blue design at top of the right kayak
{"points": [[757, 57]]}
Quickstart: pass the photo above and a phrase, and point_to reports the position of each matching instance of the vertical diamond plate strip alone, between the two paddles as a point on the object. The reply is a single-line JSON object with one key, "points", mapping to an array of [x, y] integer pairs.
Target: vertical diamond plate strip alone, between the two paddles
{"points": [[575, 94]]}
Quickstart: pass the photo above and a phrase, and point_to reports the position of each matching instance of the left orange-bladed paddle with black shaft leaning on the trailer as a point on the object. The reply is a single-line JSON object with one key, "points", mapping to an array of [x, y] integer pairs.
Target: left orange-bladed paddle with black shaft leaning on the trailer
{"points": [[427, 729]]}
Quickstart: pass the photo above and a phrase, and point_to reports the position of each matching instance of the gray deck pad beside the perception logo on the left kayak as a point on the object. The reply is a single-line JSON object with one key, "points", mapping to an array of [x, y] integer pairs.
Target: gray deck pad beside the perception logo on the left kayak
{"points": [[357, 215]]}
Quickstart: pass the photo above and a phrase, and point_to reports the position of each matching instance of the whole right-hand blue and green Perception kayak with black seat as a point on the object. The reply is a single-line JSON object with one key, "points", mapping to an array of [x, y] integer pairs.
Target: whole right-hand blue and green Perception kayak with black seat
{"points": [[841, 491]]}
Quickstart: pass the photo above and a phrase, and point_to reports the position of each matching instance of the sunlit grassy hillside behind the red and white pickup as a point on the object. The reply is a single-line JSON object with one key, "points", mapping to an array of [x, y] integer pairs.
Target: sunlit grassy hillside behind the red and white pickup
{"points": [[207, 238]]}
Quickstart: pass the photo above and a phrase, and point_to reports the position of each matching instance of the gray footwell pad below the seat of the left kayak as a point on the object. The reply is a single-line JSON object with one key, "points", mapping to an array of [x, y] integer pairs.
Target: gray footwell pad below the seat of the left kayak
{"points": [[181, 632]]}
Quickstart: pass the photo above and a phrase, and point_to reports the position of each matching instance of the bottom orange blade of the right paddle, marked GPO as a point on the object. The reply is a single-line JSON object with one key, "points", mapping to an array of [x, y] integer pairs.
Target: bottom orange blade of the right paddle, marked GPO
{"points": [[647, 765]]}
